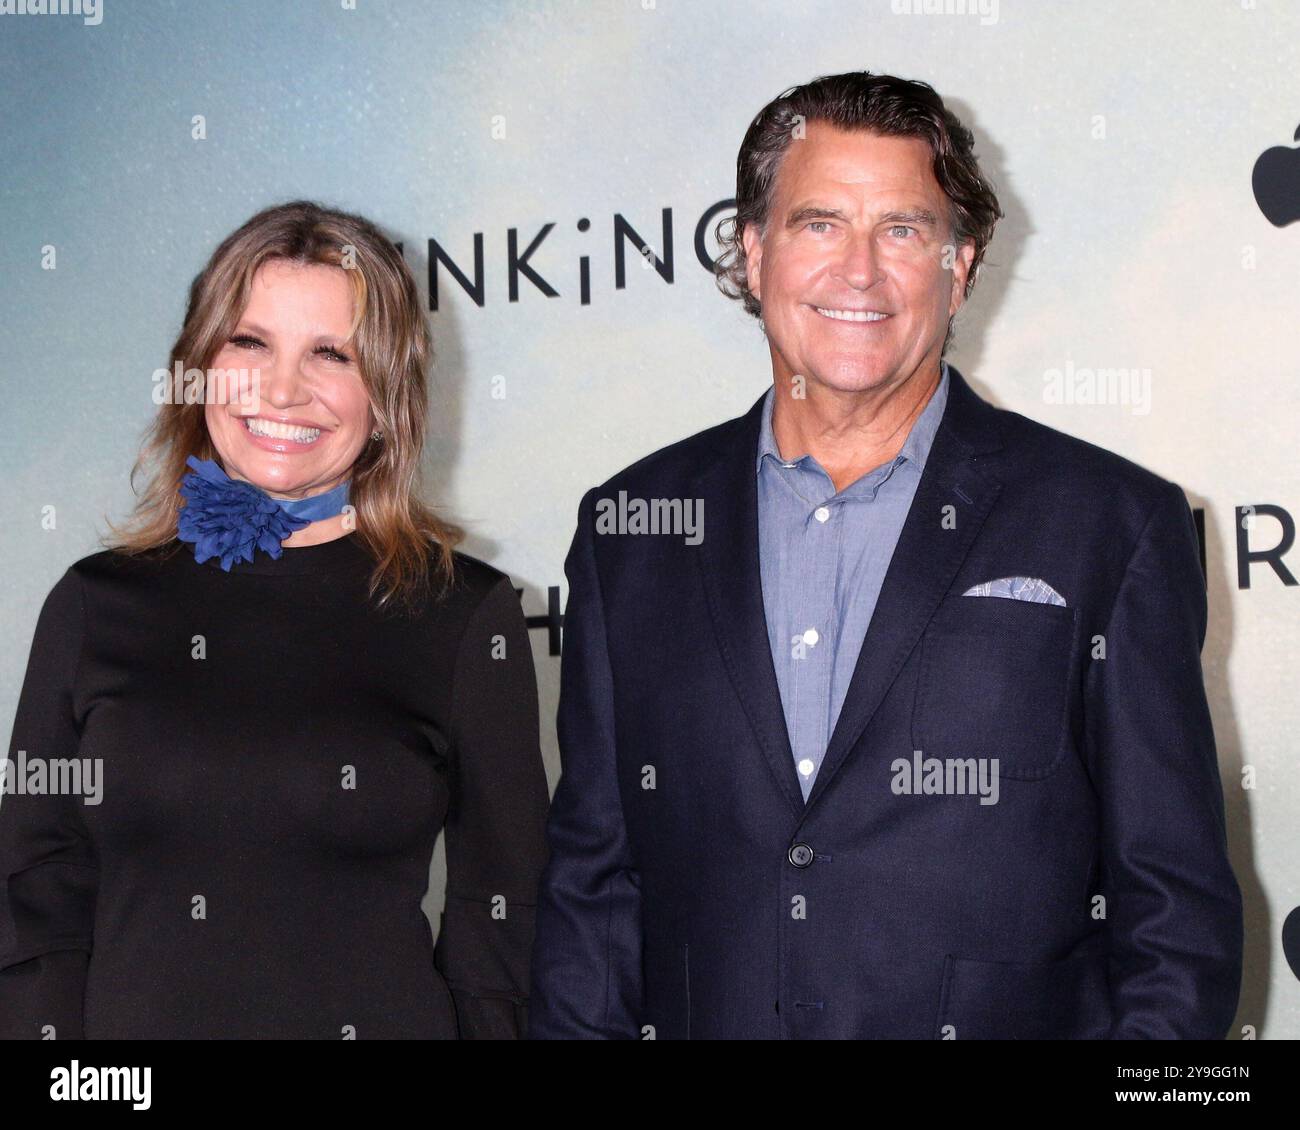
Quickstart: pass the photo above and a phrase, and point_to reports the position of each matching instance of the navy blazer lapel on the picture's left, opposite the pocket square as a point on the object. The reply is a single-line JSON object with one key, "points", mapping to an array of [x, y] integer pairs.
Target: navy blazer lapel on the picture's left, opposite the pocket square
{"points": [[729, 560]]}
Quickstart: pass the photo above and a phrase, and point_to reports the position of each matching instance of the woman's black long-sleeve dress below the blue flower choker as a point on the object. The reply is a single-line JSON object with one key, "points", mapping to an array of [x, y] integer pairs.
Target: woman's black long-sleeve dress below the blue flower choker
{"points": [[275, 760]]}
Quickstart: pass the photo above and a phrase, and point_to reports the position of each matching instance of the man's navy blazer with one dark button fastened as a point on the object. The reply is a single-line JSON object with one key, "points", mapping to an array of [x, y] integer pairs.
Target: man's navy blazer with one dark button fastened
{"points": [[691, 893]]}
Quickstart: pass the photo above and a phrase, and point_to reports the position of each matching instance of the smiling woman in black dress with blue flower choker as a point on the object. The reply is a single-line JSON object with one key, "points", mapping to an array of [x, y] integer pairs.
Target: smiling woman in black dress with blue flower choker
{"points": [[291, 682]]}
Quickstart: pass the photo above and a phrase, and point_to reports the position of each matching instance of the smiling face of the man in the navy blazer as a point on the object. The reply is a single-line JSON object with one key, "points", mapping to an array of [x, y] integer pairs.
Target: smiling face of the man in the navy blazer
{"points": [[856, 267]]}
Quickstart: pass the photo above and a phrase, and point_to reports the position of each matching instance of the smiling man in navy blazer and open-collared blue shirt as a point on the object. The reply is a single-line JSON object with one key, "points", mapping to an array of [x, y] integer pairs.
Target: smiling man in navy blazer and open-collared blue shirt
{"points": [[915, 742]]}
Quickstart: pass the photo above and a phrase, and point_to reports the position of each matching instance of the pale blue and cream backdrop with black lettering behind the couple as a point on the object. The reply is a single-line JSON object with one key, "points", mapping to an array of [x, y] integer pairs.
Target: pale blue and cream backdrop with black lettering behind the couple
{"points": [[554, 172]]}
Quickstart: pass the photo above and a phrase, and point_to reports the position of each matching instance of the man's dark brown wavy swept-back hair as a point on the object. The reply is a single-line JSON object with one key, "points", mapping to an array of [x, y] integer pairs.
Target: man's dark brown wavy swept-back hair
{"points": [[859, 101]]}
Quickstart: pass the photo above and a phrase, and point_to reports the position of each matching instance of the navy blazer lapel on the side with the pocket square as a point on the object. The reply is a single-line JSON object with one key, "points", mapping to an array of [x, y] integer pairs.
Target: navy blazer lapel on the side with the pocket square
{"points": [[925, 561]]}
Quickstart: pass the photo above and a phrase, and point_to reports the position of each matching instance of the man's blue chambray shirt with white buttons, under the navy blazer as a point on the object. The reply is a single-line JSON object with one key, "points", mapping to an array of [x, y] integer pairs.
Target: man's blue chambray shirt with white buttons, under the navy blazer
{"points": [[824, 557]]}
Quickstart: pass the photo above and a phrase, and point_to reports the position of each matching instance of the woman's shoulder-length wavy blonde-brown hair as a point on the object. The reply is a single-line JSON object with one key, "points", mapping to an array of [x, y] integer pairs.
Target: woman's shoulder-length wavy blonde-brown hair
{"points": [[411, 547]]}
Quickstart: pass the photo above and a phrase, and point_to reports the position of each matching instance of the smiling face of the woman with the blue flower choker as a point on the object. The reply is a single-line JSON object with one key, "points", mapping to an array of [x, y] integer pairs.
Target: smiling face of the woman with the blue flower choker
{"points": [[306, 418]]}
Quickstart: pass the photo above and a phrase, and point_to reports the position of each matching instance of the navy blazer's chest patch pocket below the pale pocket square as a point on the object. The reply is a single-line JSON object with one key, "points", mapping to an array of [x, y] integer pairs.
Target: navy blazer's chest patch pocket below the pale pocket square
{"points": [[995, 676]]}
